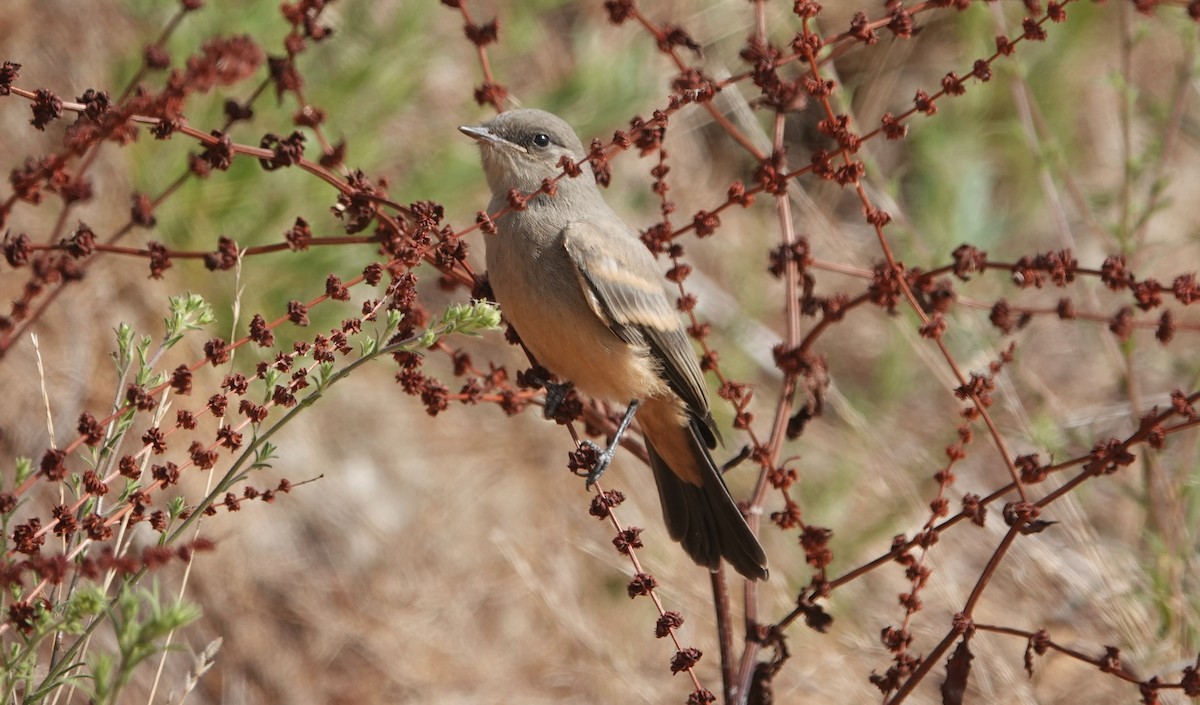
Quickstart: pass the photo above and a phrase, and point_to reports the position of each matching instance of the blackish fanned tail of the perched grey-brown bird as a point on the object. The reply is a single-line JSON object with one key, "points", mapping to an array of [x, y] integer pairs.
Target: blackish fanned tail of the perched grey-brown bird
{"points": [[704, 519]]}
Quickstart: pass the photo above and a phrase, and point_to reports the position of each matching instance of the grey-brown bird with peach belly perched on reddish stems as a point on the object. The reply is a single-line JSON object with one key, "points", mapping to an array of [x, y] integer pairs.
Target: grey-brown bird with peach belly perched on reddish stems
{"points": [[589, 302]]}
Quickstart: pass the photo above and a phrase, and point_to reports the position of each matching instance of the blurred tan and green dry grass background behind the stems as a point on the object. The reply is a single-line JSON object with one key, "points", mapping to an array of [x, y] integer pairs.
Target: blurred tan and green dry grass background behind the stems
{"points": [[452, 559]]}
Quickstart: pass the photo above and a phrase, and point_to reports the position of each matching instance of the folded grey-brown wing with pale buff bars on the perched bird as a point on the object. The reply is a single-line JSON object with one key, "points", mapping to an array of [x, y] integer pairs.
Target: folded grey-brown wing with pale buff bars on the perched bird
{"points": [[626, 291]]}
